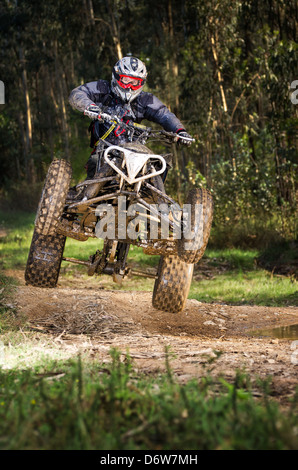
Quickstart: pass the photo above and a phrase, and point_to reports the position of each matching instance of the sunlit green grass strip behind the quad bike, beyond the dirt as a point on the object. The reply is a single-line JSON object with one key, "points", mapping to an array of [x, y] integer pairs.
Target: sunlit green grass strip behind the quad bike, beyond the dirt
{"points": [[235, 277]]}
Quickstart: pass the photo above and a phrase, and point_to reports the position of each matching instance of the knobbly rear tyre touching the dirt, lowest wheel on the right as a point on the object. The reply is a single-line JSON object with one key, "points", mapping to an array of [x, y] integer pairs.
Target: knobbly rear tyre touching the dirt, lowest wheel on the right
{"points": [[172, 285]]}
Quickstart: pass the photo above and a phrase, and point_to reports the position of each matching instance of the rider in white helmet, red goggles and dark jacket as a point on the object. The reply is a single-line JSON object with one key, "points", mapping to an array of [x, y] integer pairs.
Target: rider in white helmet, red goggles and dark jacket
{"points": [[125, 97]]}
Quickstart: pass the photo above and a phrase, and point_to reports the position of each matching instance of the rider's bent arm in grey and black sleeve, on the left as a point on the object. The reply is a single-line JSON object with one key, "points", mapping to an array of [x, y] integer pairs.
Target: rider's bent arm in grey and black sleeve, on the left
{"points": [[89, 93]]}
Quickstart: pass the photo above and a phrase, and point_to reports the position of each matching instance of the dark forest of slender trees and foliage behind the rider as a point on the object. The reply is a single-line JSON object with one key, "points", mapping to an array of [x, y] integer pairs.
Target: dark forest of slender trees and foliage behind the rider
{"points": [[227, 69]]}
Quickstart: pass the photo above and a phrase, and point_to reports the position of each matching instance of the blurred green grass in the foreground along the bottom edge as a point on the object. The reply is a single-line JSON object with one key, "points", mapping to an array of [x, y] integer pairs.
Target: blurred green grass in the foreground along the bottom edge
{"points": [[76, 405]]}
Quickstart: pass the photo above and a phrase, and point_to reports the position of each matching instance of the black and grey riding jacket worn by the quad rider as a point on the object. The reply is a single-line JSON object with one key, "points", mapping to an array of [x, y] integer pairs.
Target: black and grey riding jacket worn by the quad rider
{"points": [[145, 106]]}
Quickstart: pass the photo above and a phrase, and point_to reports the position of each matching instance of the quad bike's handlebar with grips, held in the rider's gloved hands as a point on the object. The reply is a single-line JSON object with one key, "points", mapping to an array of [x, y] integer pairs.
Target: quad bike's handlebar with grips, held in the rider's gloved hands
{"points": [[132, 126]]}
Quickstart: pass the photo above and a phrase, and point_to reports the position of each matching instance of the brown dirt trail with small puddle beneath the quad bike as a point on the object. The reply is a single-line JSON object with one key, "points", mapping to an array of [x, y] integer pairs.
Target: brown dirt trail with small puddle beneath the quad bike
{"points": [[96, 319]]}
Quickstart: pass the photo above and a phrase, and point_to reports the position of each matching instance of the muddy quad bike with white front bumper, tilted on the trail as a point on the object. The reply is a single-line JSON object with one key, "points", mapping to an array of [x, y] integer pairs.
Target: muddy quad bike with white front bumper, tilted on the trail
{"points": [[130, 176]]}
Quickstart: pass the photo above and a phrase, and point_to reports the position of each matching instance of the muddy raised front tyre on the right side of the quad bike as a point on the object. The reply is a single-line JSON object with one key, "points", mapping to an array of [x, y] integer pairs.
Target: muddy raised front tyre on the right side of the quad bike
{"points": [[191, 249]]}
